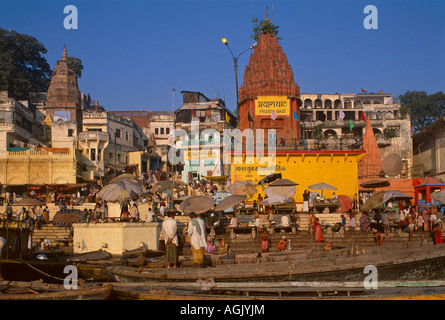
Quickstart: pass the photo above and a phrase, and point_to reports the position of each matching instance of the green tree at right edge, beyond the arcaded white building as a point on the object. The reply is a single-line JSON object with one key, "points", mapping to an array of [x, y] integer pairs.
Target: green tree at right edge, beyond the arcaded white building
{"points": [[424, 109]]}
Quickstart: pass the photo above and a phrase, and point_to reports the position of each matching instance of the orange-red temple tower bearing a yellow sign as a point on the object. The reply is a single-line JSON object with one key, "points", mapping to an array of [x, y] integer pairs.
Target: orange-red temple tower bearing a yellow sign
{"points": [[269, 95]]}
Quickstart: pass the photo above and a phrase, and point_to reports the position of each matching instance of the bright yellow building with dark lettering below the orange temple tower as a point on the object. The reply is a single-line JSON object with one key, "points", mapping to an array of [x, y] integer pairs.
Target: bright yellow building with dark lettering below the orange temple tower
{"points": [[337, 168]]}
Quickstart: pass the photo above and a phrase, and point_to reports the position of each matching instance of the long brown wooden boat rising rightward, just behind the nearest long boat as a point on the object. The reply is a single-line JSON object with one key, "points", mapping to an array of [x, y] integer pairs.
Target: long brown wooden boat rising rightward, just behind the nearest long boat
{"points": [[411, 262]]}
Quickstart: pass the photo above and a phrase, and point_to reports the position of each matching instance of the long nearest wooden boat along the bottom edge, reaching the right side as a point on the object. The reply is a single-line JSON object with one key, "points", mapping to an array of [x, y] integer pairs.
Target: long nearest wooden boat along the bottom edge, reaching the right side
{"points": [[413, 290]]}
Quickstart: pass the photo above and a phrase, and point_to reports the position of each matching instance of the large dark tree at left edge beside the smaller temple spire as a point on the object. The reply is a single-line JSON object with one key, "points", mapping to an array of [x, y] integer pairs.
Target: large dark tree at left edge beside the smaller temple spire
{"points": [[23, 68]]}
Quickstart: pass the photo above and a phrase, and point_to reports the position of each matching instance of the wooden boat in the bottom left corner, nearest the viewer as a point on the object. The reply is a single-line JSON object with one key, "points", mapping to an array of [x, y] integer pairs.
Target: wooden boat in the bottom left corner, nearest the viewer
{"points": [[19, 290]]}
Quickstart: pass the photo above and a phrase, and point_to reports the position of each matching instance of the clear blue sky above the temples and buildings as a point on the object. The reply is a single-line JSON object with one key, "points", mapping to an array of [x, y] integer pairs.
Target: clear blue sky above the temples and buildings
{"points": [[135, 51]]}
